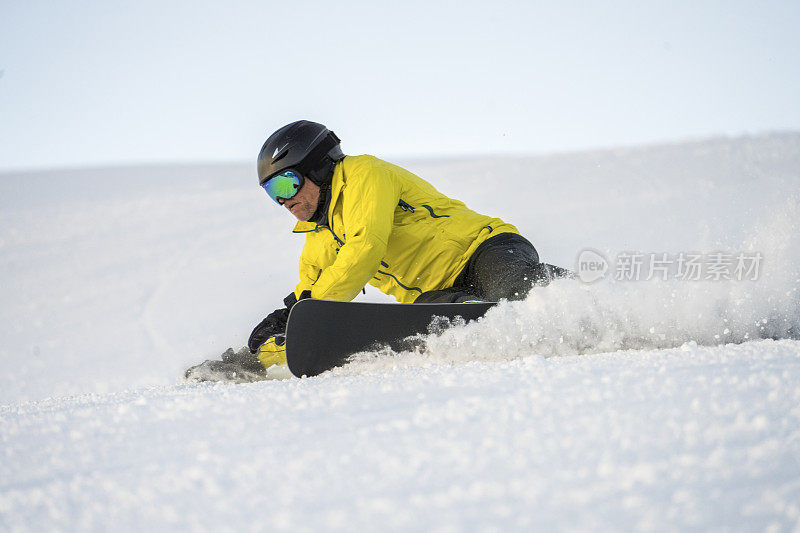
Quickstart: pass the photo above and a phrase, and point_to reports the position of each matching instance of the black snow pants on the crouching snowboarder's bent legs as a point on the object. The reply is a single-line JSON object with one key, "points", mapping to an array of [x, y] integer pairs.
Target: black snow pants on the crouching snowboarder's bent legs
{"points": [[505, 266]]}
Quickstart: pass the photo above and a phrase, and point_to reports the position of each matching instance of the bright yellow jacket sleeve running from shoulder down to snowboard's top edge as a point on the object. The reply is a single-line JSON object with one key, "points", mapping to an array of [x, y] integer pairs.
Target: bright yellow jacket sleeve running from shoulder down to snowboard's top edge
{"points": [[368, 203]]}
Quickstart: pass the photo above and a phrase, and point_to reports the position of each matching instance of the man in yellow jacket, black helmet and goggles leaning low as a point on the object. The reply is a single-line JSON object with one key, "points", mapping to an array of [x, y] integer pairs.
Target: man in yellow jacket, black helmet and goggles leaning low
{"points": [[368, 221]]}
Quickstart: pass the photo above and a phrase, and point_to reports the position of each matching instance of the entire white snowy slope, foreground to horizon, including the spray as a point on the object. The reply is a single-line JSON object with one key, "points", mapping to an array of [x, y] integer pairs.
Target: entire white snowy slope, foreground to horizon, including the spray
{"points": [[615, 405]]}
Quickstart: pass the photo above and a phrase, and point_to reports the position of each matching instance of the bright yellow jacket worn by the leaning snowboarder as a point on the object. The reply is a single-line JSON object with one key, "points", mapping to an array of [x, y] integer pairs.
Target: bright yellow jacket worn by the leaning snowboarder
{"points": [[391, 229]]}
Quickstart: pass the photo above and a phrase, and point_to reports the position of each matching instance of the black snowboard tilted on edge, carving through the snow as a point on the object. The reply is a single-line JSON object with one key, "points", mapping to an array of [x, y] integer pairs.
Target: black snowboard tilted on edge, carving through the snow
{"points": [[322, 334]]}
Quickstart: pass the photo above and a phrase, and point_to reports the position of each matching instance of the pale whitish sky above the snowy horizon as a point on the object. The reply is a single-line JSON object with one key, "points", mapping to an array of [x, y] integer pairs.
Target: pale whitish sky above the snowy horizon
{"points": [[90, 82]]}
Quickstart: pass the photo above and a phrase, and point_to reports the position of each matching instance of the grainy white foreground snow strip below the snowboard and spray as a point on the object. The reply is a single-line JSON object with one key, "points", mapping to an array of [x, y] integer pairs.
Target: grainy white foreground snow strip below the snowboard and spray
{"points": [[693, 437]]}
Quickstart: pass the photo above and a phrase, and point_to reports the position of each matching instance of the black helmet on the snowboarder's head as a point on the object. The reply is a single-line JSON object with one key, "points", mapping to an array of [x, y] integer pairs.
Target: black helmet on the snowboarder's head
{"points": [[307, 147]]}
